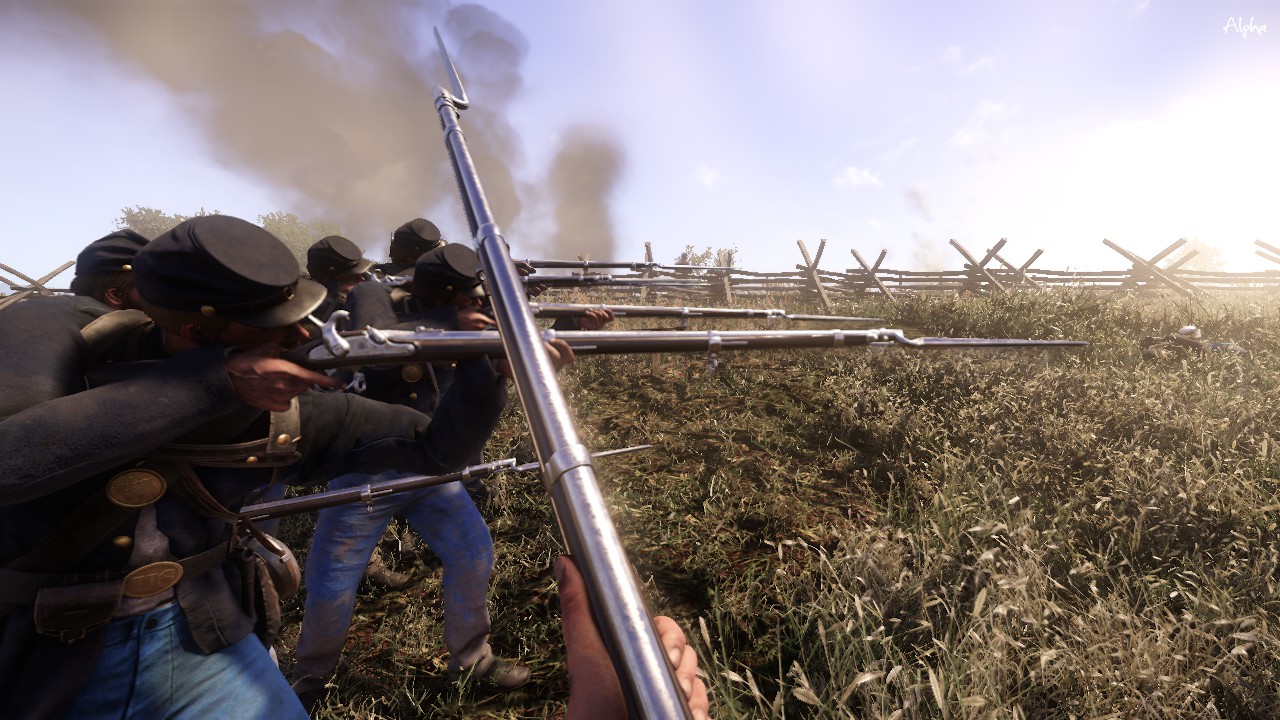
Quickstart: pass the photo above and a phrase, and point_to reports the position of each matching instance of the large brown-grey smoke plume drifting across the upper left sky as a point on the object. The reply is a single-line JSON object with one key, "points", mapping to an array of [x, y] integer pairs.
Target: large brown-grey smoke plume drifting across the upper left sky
{"points": [[330, 102]]}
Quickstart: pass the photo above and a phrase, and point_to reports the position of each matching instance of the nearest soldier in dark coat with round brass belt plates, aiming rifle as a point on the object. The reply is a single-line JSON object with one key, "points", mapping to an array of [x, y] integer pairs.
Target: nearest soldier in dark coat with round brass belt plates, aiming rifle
{"points": [[124, 571]]}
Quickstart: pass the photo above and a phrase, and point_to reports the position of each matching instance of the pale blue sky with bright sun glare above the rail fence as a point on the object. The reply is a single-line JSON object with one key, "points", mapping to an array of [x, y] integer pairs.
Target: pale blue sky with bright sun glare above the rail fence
{"points": [[748, 124]]}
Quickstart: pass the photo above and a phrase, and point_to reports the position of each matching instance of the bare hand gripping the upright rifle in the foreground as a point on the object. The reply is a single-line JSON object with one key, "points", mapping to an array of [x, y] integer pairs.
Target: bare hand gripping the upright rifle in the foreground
{"points": [[595, 689]]}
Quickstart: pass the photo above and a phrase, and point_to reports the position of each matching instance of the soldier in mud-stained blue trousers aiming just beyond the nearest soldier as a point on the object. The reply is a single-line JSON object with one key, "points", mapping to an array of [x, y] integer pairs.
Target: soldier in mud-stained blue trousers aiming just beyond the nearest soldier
{"points": [[446, 284]]}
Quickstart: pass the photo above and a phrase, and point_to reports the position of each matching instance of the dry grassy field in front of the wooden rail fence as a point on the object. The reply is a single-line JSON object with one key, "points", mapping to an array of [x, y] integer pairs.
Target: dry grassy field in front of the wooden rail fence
{"points": [[893, 534]]}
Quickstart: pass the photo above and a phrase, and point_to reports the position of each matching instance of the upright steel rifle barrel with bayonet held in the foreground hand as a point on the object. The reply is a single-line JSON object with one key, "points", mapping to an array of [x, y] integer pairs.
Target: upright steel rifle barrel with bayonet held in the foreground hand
{"points": [[639, 659]]}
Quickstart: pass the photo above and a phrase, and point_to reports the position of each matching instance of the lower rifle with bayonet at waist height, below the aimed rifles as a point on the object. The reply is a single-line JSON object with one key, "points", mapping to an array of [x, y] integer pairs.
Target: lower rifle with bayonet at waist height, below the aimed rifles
{"points": [[373, 491]]}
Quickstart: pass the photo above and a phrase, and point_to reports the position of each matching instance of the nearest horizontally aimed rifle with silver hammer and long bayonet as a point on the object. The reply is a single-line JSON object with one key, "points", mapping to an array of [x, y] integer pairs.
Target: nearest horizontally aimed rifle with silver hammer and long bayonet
{"points": [[373, 347]]}
